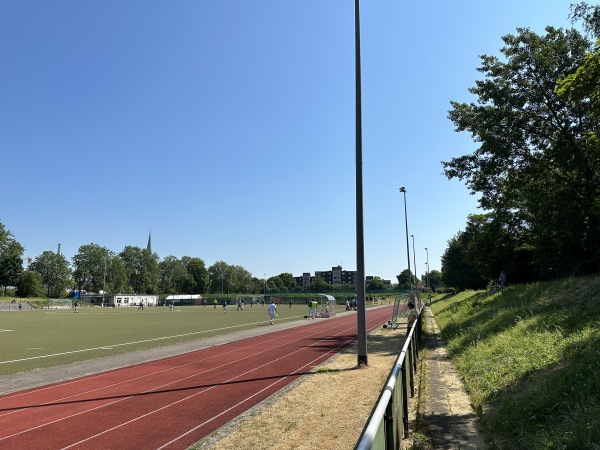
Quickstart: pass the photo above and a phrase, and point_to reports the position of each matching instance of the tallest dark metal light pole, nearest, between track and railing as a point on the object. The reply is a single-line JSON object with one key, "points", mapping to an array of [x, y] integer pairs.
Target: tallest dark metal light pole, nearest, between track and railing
{"points": [[361, 315]]}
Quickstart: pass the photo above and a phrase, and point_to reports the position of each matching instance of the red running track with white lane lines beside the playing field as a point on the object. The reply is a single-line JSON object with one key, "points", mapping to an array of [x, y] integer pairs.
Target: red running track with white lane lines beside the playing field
{"points": [[174, 402]]}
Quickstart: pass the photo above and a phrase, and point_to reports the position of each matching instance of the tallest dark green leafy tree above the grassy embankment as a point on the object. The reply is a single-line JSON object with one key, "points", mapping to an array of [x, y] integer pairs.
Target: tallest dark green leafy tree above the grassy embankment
{"points": [[534, 166]]}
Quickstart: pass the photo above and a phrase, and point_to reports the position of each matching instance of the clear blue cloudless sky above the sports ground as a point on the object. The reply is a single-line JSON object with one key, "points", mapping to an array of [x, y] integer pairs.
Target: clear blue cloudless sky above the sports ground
{"points": [[227, 127]]}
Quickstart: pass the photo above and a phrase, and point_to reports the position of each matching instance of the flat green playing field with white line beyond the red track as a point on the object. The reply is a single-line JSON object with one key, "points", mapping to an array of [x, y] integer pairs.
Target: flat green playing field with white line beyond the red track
{"points": [[45, 338]]}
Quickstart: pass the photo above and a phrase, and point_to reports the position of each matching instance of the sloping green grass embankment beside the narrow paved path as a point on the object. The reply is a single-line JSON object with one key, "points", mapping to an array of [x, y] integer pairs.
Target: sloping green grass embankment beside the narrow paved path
{"points": [[529, 356]]}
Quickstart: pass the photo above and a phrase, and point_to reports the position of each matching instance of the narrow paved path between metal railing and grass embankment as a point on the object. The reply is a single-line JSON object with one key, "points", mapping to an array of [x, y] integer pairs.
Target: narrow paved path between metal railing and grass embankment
{"points": [[445, 407]]}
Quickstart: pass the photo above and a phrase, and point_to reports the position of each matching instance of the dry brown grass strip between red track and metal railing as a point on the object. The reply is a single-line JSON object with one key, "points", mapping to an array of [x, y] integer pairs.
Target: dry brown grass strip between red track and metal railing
{"points": [[327, 409]]}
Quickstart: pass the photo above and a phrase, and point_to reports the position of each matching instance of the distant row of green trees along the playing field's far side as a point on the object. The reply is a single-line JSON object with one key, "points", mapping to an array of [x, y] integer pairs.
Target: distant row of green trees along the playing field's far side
{"points": [[134, 270]]}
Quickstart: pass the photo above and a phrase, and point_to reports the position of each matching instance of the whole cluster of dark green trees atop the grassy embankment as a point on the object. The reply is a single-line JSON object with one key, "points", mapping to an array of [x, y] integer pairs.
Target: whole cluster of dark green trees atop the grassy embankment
{"points": [[537, 168]]}
